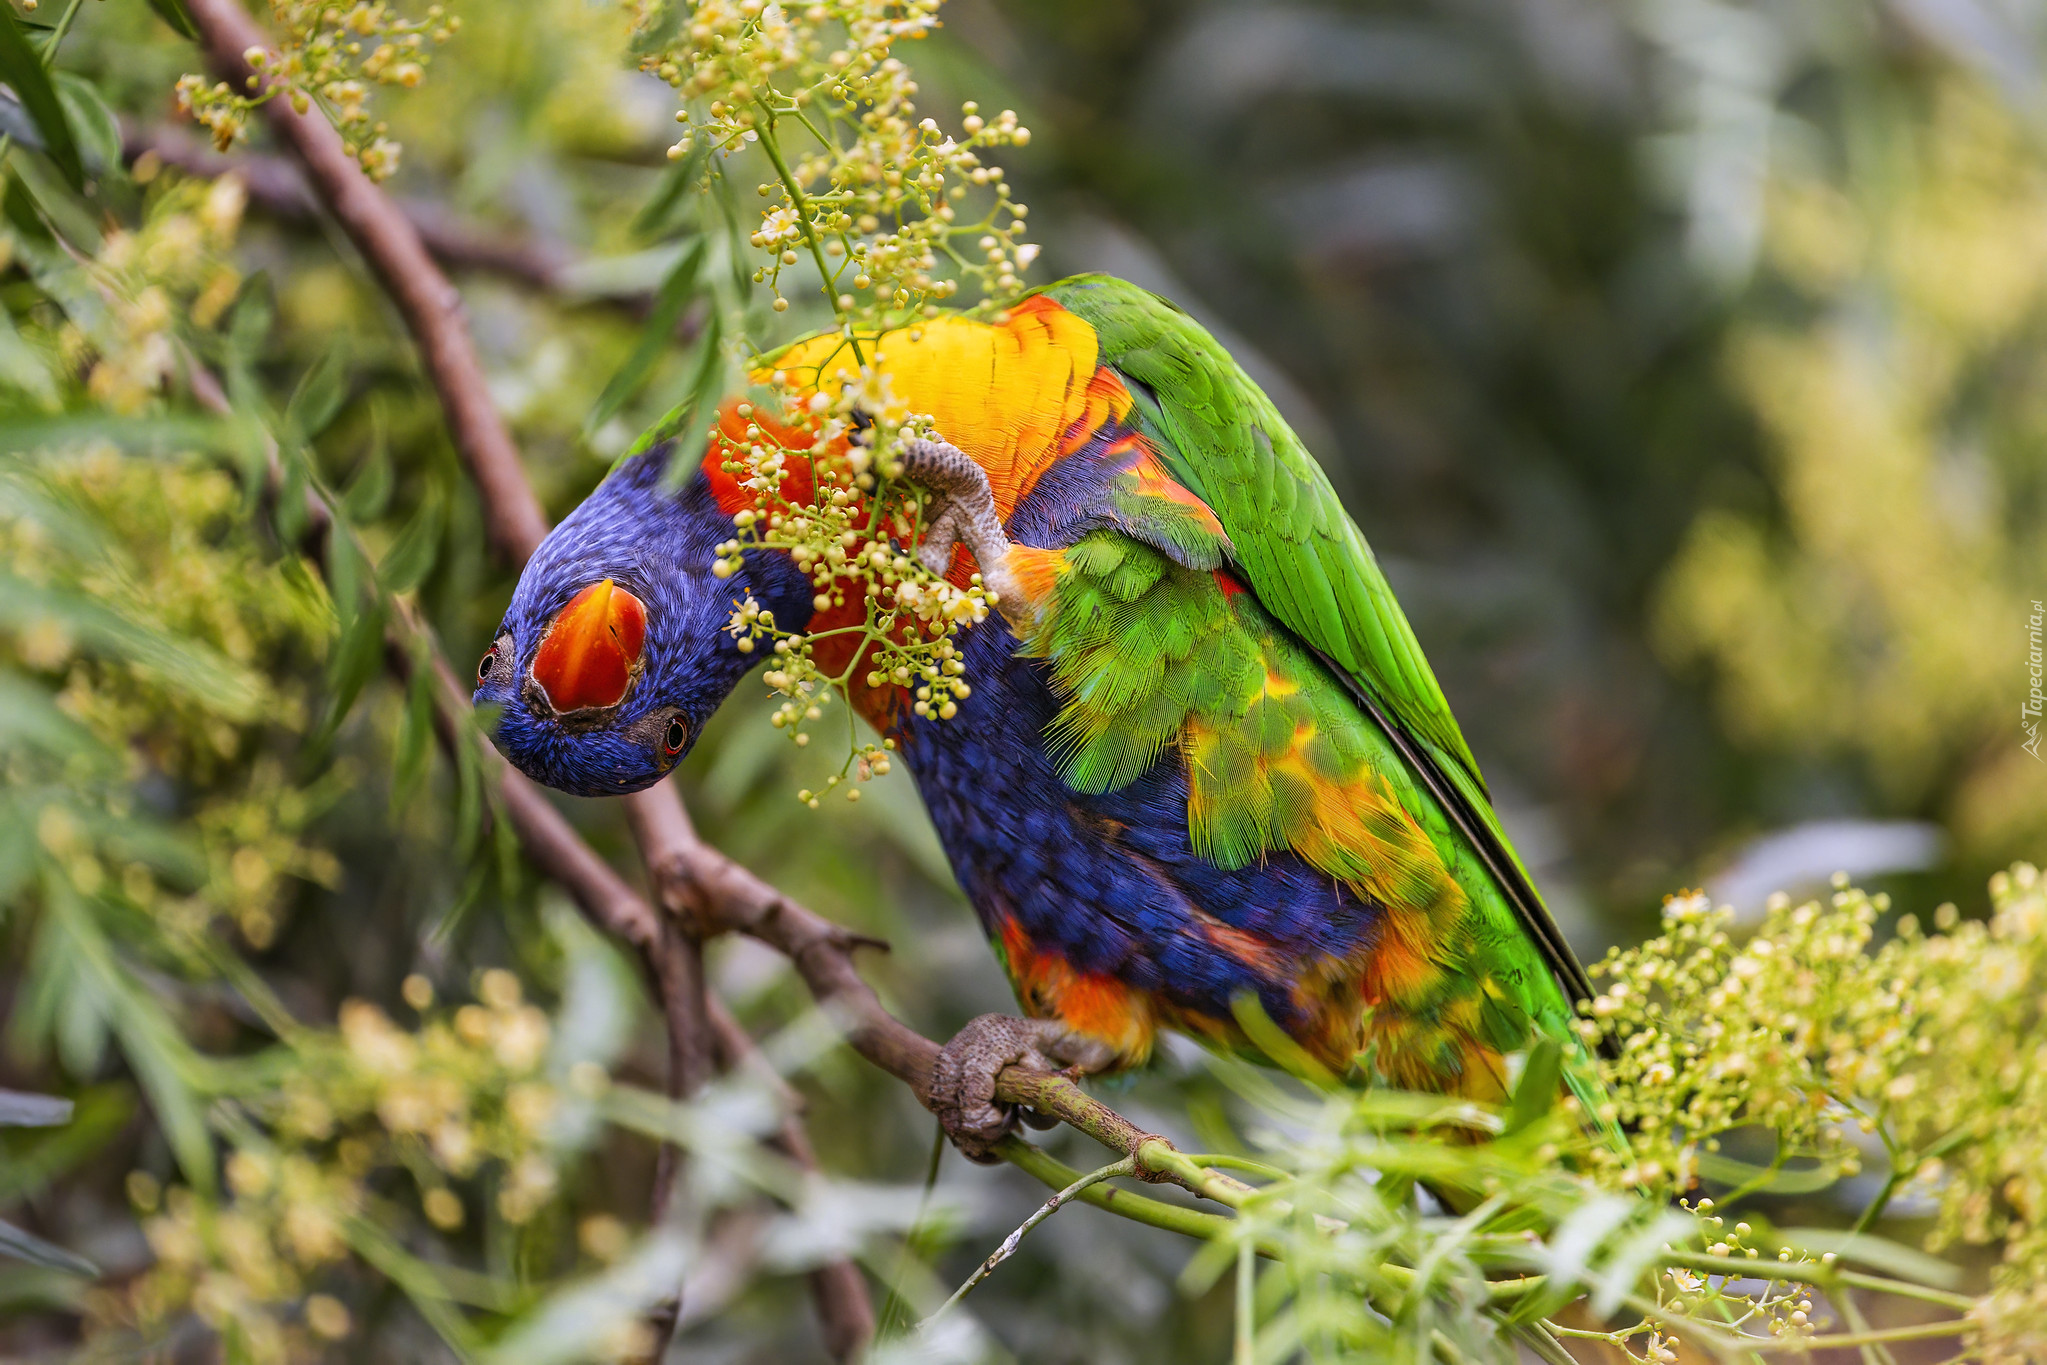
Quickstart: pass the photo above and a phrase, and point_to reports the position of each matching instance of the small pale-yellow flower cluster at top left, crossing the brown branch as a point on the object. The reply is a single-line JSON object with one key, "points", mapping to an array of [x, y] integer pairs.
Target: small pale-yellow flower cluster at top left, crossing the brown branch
{"points": [[333, 54]]}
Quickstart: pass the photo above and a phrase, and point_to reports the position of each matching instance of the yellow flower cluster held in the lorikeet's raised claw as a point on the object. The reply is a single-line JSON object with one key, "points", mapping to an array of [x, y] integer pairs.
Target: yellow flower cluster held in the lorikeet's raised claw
{"points": [[824, 482]]}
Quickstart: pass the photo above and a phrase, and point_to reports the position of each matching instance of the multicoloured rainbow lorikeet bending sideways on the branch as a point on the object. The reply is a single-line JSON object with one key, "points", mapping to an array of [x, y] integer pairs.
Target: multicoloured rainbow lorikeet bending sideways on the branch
{"points": [[1203, 758]]}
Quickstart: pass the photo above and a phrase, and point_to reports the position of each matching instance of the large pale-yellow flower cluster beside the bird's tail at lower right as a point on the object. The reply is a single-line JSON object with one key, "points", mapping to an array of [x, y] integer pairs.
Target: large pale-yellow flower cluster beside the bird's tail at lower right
{"points": [[1923, 1051]]}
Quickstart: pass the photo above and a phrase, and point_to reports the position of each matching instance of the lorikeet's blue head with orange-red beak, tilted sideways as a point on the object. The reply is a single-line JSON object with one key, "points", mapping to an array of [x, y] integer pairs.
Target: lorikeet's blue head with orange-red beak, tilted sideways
{"points": [[615, 654]]}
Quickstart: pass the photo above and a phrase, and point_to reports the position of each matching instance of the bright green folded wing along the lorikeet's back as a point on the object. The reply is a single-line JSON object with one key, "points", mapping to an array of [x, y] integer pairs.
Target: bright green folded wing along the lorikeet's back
{"points": [[1303, 556]]}
